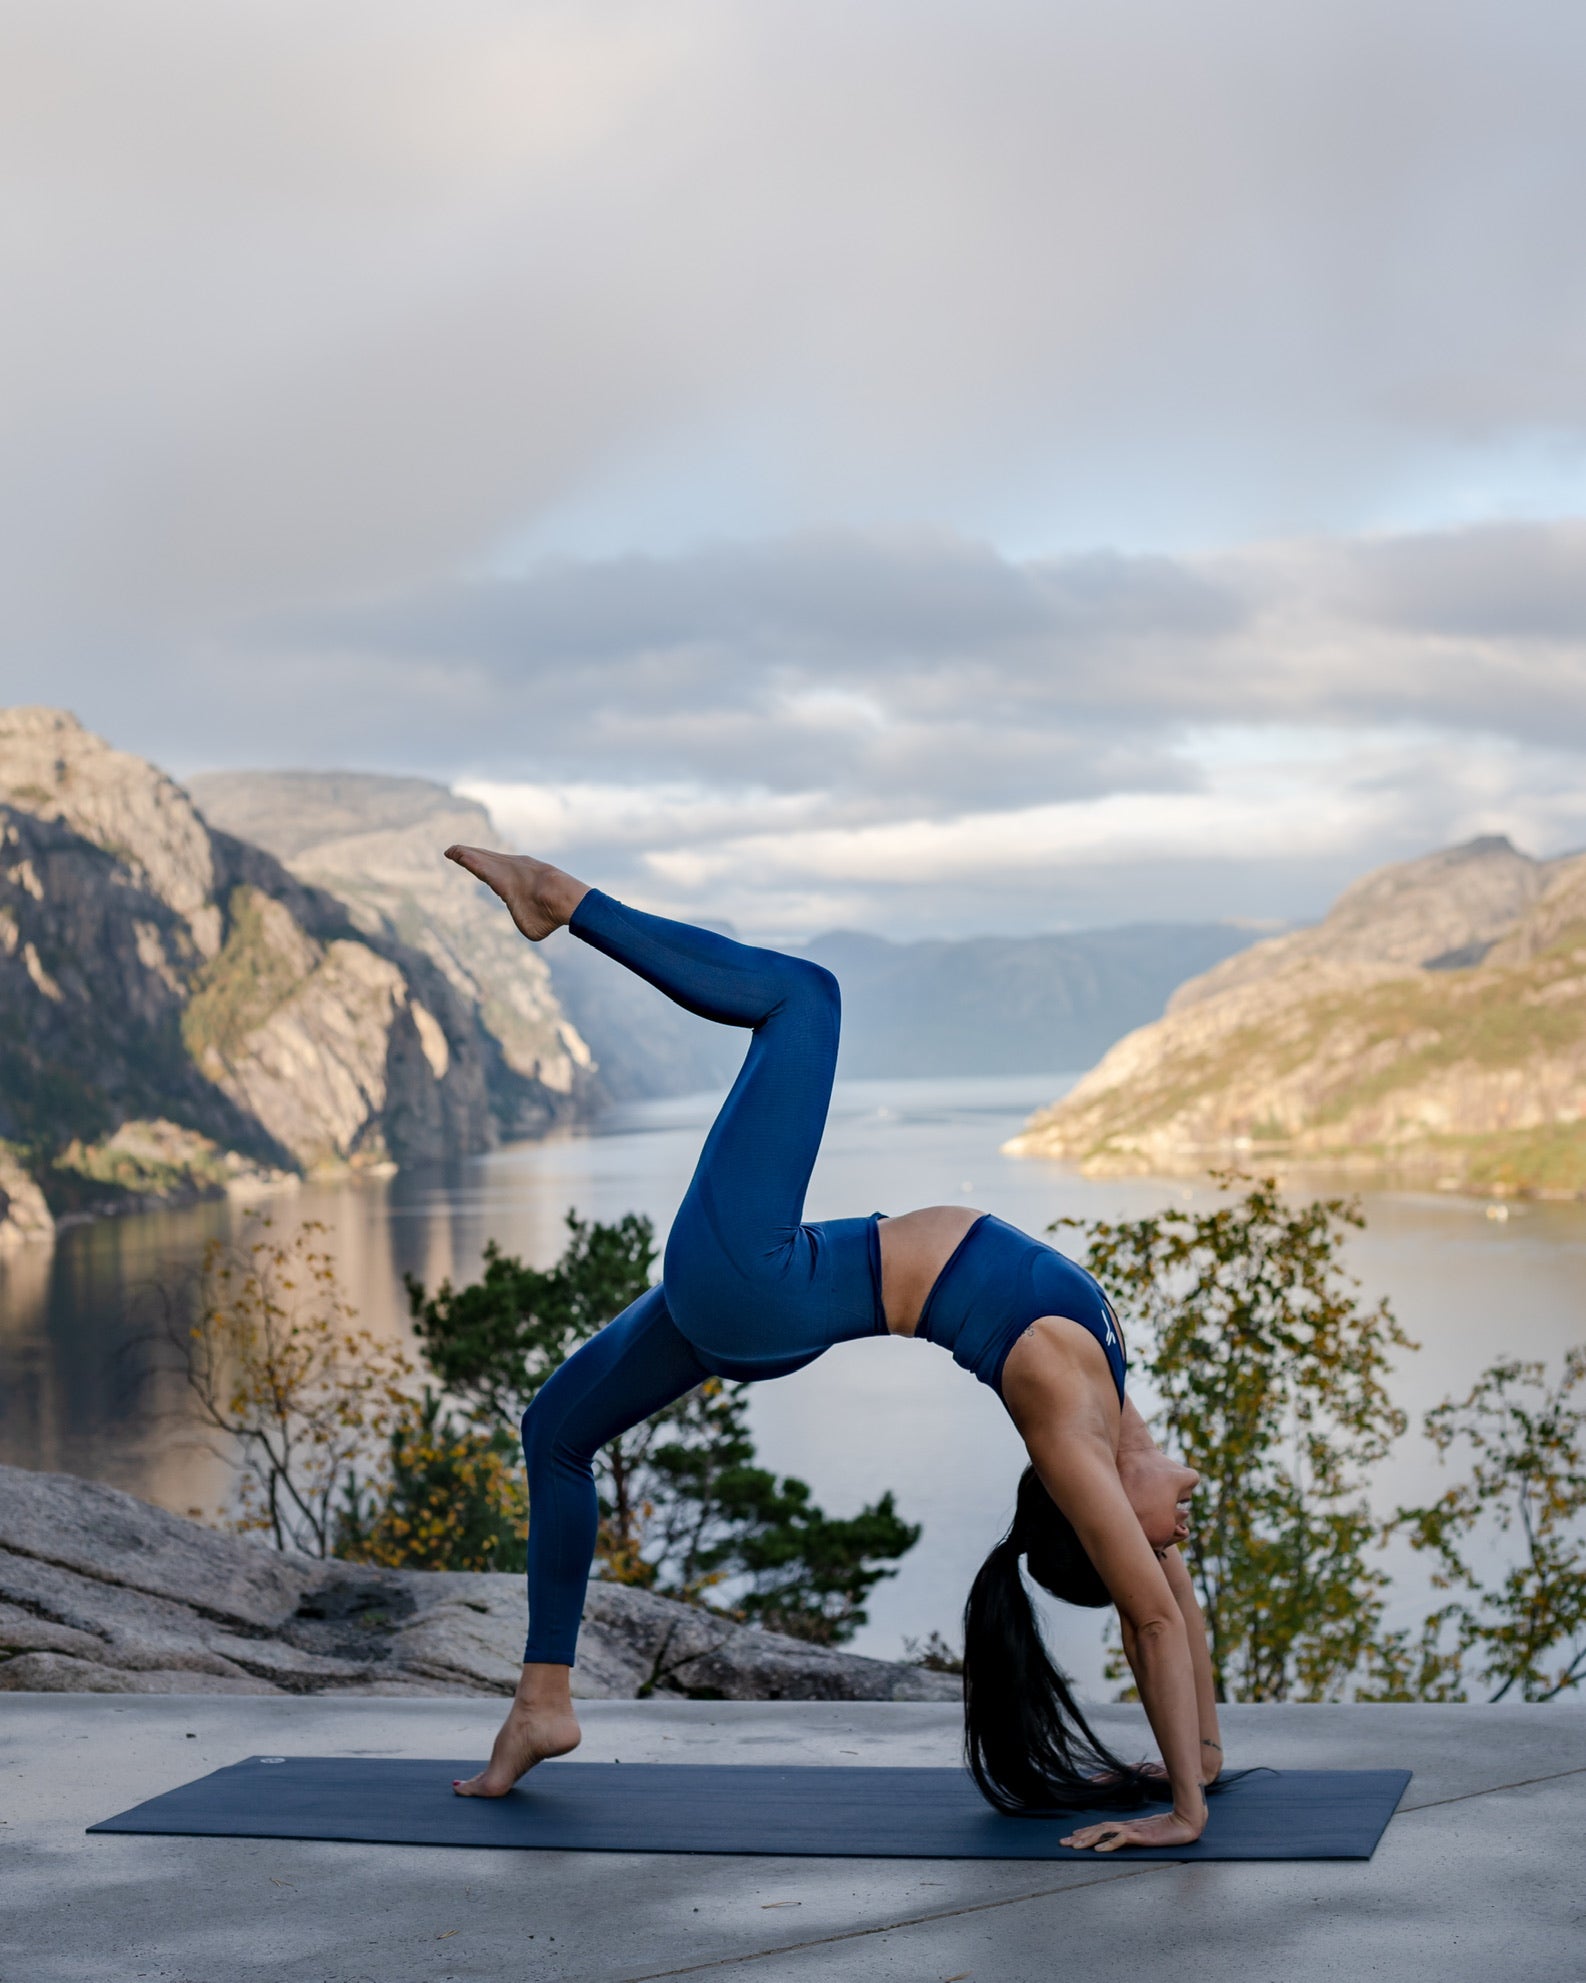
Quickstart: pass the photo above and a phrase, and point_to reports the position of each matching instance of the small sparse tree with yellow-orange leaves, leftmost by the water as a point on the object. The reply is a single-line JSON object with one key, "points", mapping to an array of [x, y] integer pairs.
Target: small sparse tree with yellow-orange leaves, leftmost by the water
{"points": [[279, 1367]]}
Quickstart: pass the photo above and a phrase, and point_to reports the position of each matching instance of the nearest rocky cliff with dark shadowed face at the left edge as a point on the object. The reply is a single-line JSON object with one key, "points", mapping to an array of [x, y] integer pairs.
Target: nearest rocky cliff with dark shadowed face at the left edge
{"points": [[181, 1014]]}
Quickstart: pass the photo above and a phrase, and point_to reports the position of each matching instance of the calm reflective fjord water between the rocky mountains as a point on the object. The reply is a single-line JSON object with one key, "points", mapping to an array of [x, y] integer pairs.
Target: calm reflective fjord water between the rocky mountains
{"points": [[80, 1391]]}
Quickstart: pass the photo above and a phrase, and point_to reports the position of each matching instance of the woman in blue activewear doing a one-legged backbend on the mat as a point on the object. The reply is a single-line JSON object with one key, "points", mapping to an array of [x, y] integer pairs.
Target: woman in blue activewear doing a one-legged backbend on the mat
{"points": [[750, 1292]]}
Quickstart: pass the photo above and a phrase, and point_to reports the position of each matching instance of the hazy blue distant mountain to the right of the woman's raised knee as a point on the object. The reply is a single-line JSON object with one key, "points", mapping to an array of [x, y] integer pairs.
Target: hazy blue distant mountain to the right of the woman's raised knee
{"points": [[1008, 1004]]}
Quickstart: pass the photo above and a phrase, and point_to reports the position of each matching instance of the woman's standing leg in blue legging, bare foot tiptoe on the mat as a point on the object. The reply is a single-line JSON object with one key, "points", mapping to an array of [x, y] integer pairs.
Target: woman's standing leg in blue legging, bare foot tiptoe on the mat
{"points": [[631, 1369]]}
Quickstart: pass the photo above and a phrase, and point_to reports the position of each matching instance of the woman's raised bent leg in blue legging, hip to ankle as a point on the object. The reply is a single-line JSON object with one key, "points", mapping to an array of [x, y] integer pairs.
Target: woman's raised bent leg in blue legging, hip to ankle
{"points": [[740, 1264]]}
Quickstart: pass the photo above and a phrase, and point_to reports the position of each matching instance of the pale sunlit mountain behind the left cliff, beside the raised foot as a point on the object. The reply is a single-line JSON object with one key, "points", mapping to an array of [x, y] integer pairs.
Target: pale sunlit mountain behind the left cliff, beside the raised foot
{"points": [[378, 844]]}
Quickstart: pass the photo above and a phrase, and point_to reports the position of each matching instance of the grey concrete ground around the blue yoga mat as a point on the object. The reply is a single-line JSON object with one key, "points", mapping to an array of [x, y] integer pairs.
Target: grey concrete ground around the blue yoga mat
{"points": [[1482, 1875]]}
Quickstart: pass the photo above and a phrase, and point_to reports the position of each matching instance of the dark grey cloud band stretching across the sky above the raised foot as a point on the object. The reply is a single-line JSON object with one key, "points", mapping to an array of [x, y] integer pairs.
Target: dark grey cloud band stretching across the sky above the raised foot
{"points": [[939, 661]]}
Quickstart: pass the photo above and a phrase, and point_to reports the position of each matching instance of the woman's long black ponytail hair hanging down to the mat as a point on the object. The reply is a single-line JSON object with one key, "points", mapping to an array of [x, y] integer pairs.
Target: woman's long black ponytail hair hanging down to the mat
{"points": [[1026, 1740]]}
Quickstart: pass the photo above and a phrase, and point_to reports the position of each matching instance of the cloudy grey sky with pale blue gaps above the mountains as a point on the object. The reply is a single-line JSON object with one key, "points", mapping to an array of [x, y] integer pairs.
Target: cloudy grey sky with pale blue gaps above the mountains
{"points": [[903, 465]]}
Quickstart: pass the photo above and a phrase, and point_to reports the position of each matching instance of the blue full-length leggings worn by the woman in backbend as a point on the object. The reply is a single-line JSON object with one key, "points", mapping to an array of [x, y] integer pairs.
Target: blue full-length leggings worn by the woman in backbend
{"points": [[748, 1290]]}
